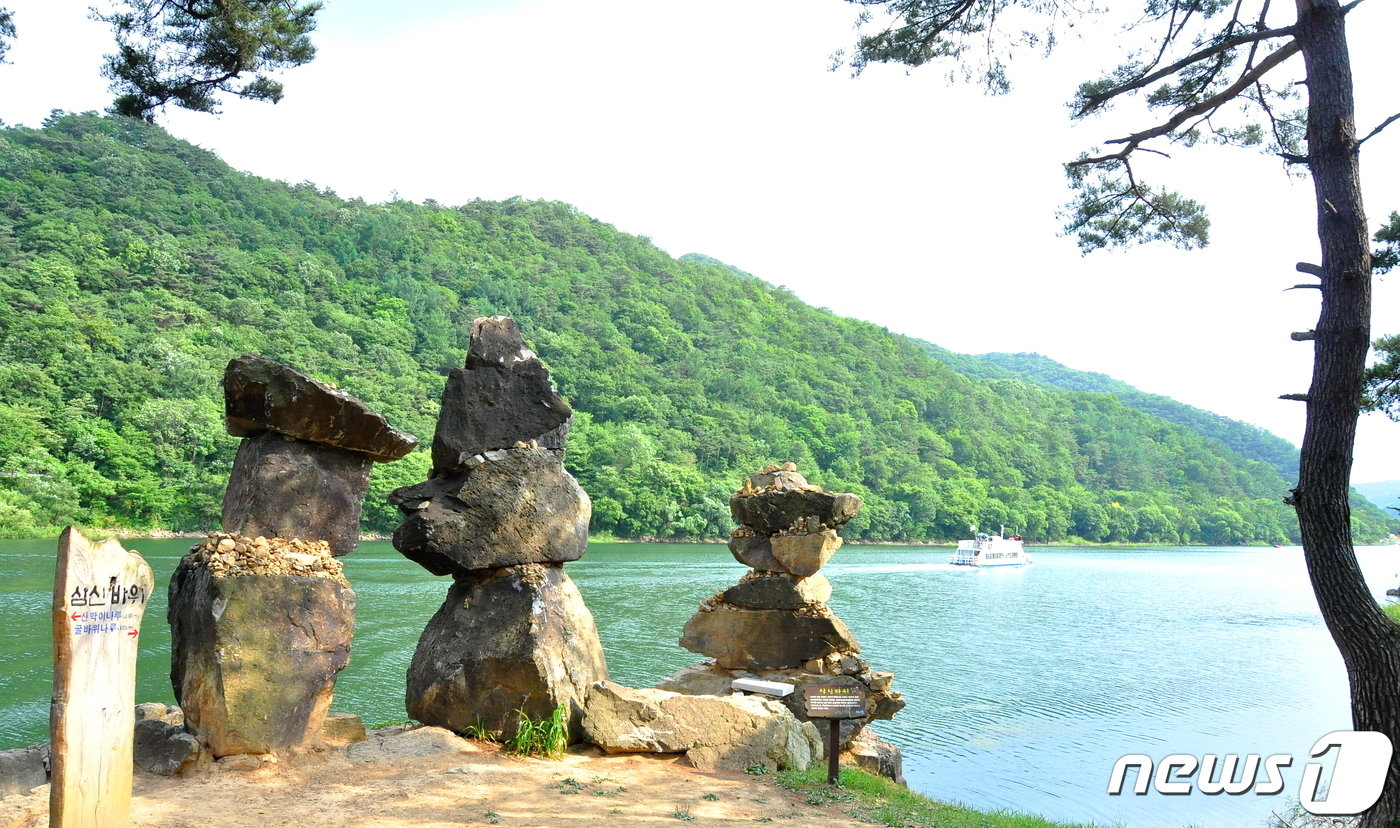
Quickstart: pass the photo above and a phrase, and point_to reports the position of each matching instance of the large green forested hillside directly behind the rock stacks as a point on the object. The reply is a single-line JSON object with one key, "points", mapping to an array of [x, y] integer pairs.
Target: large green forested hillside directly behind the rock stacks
{"points": [[134, 267]]}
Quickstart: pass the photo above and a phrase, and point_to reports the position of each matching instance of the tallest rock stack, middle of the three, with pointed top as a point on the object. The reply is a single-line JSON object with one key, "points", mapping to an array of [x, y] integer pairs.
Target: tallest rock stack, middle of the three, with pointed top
{"points": [[502, 516]]}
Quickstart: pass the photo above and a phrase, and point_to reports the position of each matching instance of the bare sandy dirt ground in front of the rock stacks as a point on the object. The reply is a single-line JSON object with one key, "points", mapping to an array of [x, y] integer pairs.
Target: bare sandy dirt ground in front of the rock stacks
{"points": [[429, 778]]}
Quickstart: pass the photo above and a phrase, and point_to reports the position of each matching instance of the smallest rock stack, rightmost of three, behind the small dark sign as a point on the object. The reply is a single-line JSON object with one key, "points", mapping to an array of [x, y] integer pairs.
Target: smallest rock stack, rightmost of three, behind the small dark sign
{"points": [[775, 624]]}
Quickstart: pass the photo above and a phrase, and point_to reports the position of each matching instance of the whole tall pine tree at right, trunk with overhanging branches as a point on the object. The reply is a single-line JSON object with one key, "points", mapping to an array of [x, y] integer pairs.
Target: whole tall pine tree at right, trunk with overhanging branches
{"points": [[1219, 74]]}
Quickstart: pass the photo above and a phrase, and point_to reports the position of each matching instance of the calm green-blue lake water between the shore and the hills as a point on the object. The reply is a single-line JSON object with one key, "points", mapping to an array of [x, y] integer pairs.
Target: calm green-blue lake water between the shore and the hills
{"points": [[1024, 686]]}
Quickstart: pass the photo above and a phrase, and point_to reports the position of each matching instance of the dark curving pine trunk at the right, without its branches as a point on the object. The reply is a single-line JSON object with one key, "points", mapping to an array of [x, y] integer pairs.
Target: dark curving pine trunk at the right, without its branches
{"points": [[1368, 641]]}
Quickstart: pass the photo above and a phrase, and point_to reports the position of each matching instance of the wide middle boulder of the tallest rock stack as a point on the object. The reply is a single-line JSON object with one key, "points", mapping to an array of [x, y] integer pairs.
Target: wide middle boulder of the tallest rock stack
{"points": [[512, 508]]}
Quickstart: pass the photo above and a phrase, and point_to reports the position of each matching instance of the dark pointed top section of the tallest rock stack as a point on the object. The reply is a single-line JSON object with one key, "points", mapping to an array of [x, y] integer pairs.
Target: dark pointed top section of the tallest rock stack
{"points": [[502, 397]]}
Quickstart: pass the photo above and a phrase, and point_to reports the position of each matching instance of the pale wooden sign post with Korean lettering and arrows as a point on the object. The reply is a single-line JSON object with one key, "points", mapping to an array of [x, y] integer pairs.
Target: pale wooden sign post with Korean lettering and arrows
{"points": [[100, 595]]}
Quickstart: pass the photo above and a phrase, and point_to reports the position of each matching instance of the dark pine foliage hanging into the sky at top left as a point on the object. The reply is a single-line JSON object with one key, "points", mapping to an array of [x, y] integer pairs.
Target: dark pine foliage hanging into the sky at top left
{"points": [[190, 53]]}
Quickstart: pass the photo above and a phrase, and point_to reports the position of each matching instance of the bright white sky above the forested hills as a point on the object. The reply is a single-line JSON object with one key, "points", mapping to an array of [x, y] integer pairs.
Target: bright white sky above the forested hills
{"points": [[716, 127]]}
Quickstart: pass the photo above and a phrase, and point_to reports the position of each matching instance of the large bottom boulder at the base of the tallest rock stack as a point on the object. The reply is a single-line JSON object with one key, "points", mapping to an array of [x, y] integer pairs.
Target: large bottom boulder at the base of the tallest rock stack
{"points": [[509, 641]]}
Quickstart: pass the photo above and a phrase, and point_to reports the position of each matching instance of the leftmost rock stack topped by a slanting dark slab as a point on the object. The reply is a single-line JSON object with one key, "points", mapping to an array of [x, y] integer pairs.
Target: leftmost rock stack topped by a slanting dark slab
{"points": [[261, 614]]}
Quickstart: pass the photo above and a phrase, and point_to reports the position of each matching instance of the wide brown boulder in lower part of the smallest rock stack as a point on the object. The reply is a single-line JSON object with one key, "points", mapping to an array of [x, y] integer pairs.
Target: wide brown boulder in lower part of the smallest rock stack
{"points": [[766, 640]]}
